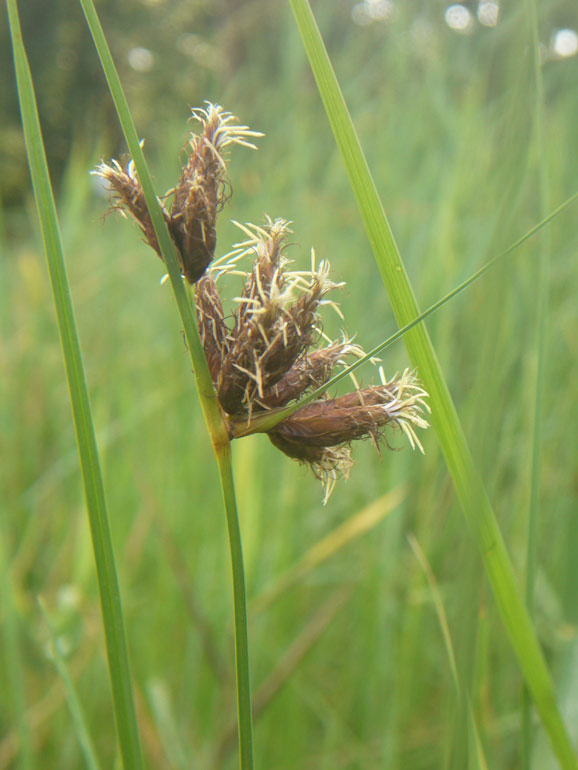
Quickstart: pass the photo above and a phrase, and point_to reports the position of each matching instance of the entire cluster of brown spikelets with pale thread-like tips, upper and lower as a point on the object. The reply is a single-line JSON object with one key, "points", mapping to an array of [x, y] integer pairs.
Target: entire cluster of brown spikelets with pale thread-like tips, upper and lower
{"points": [[265, 354]]}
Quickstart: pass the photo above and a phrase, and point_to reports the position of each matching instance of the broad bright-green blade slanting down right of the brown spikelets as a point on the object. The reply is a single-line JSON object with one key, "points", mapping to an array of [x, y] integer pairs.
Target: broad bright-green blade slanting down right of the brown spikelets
{"points": [[468, 484]]}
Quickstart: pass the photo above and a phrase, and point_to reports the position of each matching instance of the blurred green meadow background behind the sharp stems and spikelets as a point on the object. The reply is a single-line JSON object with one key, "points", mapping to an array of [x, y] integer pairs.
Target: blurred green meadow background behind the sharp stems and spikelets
{"points": [[348, 648]]}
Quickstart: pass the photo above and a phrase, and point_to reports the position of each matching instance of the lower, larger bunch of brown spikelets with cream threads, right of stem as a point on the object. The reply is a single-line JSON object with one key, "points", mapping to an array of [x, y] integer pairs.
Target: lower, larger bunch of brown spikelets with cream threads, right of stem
{"points": [[266, 356]]}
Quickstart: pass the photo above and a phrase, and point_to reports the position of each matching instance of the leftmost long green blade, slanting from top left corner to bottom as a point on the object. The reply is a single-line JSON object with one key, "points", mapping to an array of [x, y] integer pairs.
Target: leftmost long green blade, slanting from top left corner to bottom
{"points": [[115, 637]]}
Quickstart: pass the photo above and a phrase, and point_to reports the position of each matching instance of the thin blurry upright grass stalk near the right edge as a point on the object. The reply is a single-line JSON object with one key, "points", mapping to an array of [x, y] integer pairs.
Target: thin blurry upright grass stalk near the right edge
{"points": [[543, 288]]}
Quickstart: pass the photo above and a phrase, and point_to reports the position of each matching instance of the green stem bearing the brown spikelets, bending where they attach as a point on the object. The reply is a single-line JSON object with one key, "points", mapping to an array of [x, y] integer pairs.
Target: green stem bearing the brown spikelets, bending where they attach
{"points": [[216, 427]]}
